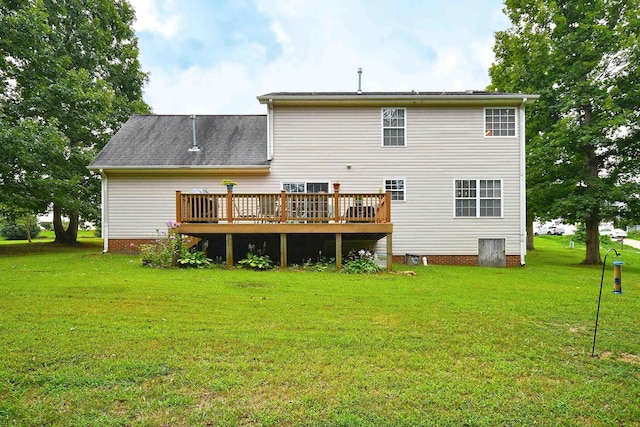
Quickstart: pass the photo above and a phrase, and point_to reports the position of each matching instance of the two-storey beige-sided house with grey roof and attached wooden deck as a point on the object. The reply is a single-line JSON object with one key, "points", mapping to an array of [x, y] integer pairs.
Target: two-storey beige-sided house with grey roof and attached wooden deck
{"points": [[436, 174]]}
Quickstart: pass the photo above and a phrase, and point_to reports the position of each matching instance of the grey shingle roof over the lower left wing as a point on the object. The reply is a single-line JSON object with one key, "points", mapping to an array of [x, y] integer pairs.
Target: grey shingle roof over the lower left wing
{"points": [[147, 141]]}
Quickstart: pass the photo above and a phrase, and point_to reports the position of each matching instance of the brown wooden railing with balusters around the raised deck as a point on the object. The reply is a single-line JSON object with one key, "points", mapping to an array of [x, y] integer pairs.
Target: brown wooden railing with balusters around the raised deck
{"points": [[283, 207]]}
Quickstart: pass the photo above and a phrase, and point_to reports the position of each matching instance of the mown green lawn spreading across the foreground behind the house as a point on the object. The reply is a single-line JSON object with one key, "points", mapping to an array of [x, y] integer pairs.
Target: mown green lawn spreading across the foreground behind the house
{"points": [[92, 339]]}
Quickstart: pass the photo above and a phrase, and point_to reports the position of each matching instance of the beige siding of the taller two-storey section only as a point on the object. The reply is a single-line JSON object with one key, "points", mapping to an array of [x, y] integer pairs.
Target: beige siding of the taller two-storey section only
{"points": [[442, 144]]}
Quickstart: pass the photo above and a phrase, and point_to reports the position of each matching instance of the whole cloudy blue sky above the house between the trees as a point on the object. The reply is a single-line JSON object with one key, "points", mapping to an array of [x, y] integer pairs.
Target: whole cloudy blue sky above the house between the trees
{"points": [[215, 56]]}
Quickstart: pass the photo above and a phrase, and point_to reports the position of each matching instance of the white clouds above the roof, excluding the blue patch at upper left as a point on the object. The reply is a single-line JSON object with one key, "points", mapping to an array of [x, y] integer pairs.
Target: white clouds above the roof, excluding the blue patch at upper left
{"points": [[320, 45]]}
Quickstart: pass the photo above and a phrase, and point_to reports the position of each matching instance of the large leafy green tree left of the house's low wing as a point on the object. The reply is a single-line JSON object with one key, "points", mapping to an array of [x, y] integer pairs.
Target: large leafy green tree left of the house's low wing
{"points": [[69, 77]]}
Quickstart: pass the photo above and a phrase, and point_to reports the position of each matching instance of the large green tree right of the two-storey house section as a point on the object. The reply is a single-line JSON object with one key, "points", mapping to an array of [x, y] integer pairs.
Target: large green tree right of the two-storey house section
{"points": [[583, 134]]}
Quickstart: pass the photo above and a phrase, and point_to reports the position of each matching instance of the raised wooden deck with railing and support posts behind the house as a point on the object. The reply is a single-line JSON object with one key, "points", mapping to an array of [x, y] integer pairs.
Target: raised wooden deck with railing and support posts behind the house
{"points": [[364, 216]]}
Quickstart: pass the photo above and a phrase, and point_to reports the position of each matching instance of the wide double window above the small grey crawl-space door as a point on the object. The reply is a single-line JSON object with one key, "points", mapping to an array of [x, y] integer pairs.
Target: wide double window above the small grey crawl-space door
{"points": [[485, 194]]}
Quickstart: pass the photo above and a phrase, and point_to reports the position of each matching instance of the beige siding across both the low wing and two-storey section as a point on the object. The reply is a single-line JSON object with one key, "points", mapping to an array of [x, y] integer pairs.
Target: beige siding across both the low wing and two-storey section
{"points": [[316, 144]]}
